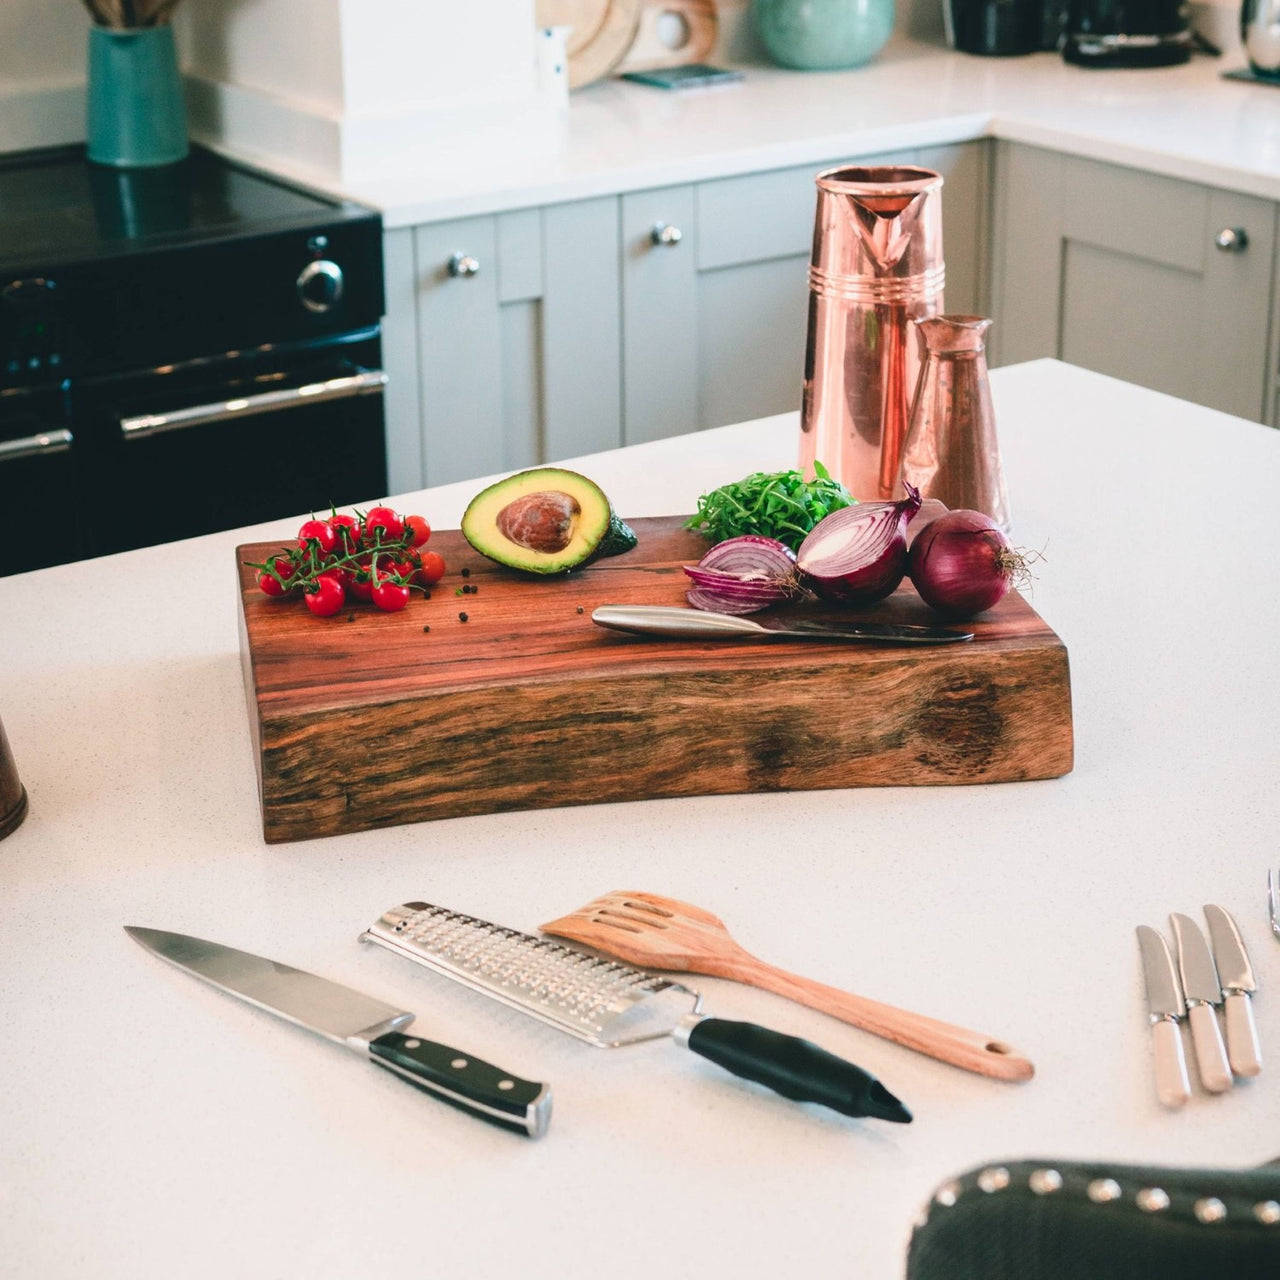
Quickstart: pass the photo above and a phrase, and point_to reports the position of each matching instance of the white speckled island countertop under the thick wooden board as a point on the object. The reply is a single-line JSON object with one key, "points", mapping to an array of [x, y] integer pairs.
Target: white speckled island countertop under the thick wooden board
{"points": [[153, 1127]]}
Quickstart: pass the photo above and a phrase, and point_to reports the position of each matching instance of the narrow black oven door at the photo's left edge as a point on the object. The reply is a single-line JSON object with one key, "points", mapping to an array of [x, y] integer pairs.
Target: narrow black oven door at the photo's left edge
{"points": [[38, 492]]}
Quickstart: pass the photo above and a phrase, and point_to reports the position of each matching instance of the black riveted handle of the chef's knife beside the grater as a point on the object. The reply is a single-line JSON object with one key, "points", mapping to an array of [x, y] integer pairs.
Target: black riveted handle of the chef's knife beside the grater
{"points": [[469, 1084]]}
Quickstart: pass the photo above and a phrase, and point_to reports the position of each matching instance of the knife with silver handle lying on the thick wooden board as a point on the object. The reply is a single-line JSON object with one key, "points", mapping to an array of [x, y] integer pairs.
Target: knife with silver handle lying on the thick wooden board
{"points": [[679, 624]]}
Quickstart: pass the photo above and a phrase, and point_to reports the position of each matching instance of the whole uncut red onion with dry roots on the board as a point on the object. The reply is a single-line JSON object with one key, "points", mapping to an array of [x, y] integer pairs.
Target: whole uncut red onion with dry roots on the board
{"points": [[962, 564]]}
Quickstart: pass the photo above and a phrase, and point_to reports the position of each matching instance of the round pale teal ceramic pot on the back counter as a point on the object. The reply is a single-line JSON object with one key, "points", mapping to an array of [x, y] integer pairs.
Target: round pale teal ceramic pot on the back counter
{"points": [[824, 35]]}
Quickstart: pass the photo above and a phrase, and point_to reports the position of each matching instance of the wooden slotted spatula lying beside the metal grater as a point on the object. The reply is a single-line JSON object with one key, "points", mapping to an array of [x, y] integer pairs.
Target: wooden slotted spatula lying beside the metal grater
{"points": [[662, 934]]}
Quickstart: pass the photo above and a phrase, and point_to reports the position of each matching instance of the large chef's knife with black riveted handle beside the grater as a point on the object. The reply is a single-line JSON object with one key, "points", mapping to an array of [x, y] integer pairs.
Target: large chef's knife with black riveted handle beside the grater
{"points": [[363, 1025]]}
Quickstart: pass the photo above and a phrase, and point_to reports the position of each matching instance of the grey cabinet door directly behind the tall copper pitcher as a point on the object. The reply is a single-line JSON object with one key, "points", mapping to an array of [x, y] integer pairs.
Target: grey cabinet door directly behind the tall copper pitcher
{"points": [[715, 287]]}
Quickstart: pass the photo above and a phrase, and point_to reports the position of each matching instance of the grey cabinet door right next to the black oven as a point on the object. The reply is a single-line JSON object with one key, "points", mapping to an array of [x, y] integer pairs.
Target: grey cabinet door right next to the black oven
{"points": [[501, 342]]}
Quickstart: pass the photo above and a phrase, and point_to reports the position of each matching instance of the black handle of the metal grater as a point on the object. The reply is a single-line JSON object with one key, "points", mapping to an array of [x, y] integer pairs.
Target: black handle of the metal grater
{"points": [[796, 1068]]}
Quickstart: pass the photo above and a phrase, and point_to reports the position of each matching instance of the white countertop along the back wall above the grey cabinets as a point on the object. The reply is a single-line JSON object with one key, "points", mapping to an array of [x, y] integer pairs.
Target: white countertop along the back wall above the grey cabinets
{"points": [[1183, 122]]}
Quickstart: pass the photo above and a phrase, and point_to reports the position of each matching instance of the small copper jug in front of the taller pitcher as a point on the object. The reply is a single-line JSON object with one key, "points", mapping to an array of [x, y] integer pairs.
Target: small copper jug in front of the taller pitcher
{"points": [[952, 451]]}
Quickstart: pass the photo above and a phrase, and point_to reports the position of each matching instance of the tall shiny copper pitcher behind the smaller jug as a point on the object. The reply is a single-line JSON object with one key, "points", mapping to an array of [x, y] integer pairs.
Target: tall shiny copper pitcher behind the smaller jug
{"points": [[877, 266]]}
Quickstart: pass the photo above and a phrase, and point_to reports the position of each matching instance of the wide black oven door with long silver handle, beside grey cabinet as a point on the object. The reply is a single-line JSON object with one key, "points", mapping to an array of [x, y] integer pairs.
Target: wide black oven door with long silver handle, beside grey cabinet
{"points": [[217, 445]]}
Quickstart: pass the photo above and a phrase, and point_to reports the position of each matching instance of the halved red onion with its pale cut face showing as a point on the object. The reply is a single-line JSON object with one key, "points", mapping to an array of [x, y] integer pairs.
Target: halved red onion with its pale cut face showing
{"points": [[858, 555]]}
